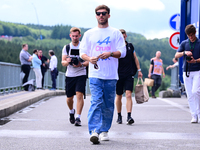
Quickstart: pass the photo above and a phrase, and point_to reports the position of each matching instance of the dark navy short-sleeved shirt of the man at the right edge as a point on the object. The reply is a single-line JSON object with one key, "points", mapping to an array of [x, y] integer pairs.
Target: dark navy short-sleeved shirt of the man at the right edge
{"points": [[185, 46]]}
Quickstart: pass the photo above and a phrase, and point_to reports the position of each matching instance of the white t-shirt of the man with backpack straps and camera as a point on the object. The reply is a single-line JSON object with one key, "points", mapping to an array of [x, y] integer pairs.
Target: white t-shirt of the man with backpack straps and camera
{"points": [[71, 71]]}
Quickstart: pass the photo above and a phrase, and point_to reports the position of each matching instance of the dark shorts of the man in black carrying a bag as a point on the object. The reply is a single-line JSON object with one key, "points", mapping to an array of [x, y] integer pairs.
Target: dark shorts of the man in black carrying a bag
{"points": [[124, 84]]}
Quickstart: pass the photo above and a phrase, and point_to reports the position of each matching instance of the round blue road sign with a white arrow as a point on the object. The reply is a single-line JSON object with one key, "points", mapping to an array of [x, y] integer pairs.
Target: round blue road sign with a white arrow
{"points": [[174, 22]]}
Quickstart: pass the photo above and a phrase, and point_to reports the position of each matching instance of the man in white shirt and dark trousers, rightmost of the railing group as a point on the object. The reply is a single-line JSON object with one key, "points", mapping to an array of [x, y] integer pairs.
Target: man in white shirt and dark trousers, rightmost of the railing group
{"points": [[53, 68]]}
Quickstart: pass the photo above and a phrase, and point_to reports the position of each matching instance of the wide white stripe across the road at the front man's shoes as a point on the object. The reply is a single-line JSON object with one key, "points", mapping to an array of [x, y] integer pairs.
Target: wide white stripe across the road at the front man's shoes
{"points": [[113, 135]]}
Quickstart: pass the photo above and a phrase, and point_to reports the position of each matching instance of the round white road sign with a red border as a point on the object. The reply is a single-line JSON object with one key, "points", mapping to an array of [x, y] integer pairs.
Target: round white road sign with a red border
{"points": [[174, 40]]}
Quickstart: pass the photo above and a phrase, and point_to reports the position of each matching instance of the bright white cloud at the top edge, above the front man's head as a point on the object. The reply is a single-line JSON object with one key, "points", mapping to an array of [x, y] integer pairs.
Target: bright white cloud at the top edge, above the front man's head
{"points": [[134, 5]]}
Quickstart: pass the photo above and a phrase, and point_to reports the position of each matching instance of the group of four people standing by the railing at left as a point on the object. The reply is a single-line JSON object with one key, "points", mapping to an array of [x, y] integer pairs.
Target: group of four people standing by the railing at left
{"points": [[40, 64]]}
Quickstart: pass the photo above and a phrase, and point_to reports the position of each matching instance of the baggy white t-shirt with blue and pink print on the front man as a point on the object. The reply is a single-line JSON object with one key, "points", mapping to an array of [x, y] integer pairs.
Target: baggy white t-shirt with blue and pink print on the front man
{"points": [[98, 40]]}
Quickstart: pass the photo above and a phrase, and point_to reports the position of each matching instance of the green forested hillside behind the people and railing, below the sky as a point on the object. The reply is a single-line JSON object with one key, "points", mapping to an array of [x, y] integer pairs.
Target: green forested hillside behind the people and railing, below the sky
{"points": [[55, 37]]}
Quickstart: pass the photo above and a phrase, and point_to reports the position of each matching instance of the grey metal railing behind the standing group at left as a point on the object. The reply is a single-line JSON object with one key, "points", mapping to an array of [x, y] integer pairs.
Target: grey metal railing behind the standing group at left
{"points": [[10, 78]]}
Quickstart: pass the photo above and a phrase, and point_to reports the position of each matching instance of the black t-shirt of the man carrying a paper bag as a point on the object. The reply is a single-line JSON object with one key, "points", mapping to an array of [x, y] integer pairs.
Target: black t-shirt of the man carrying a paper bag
{"points": [[125, 64]]}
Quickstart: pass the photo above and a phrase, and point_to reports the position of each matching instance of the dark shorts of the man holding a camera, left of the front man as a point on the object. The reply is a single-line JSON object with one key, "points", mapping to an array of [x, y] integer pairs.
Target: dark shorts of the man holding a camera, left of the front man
{"points": [[75, 84]]}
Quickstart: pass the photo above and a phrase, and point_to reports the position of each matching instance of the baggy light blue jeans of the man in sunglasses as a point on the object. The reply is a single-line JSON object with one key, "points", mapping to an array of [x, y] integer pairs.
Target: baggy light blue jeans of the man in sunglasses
{"points": [[100, 114]]}
